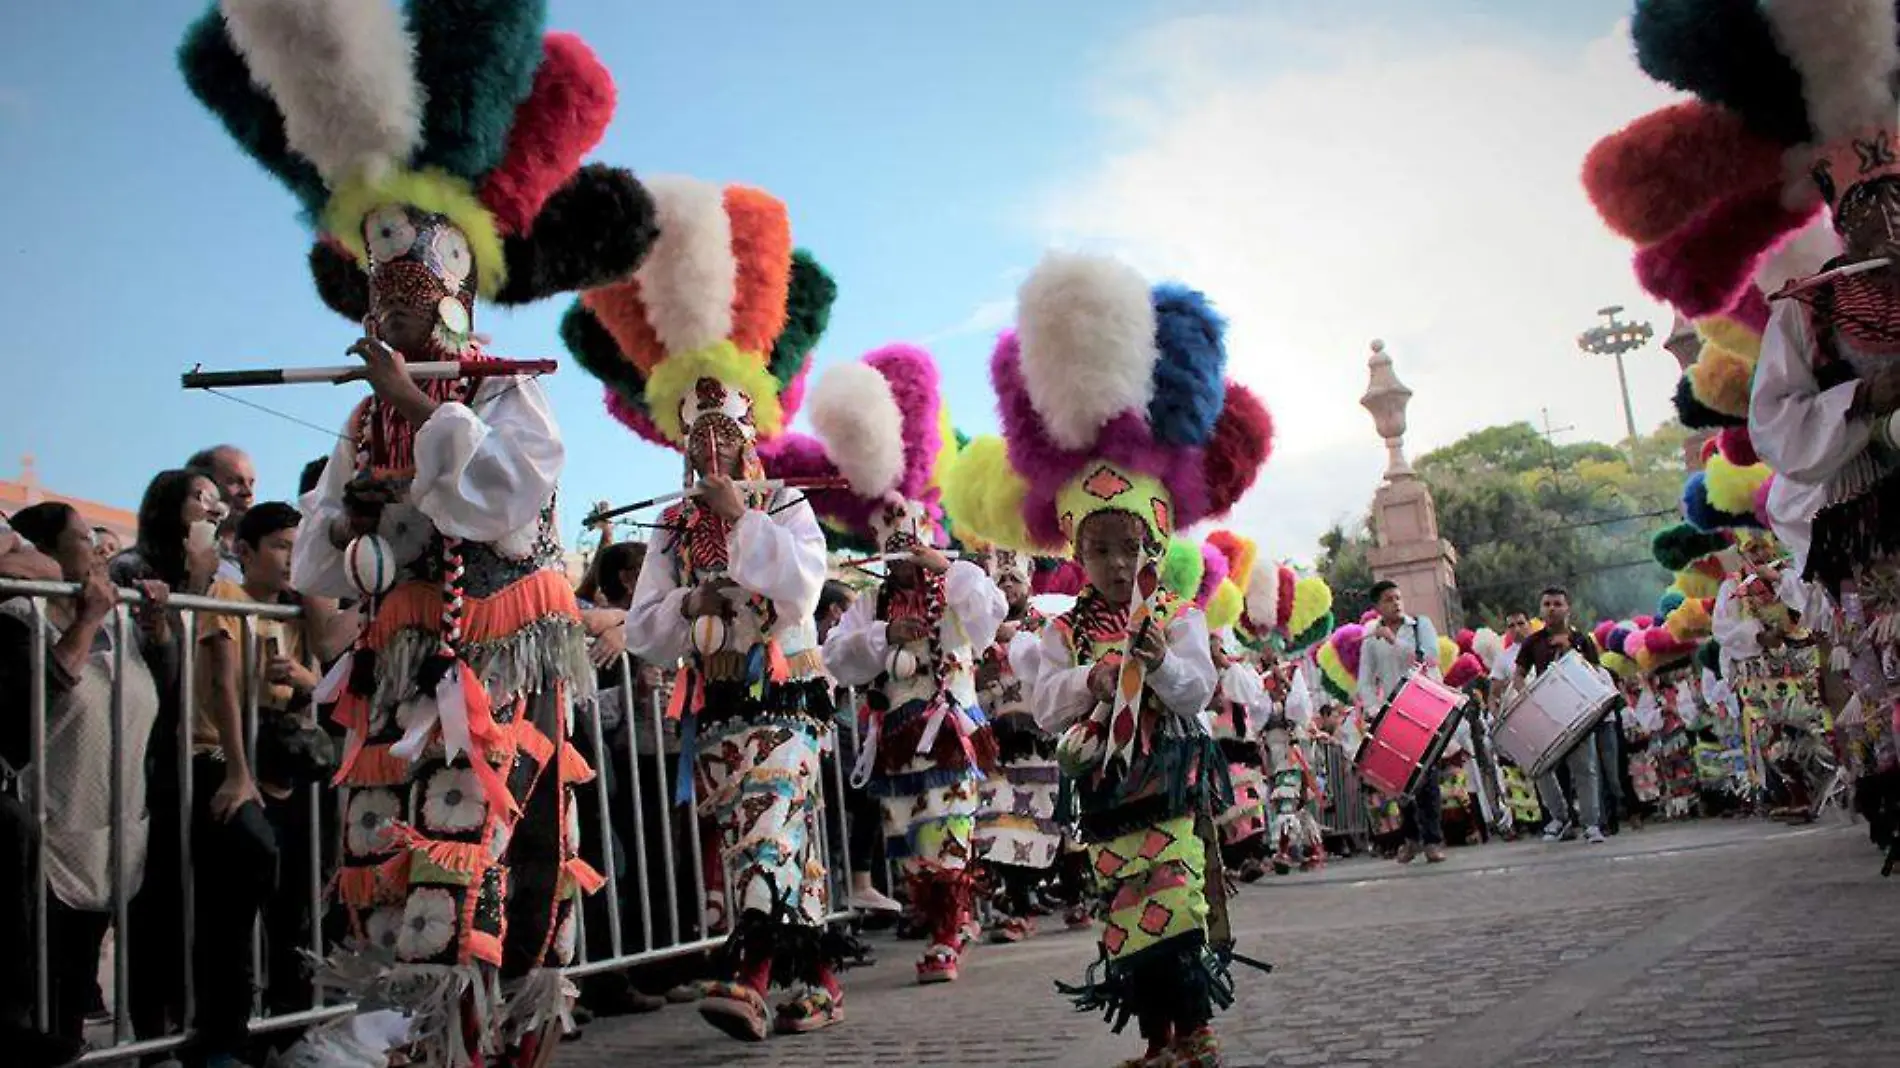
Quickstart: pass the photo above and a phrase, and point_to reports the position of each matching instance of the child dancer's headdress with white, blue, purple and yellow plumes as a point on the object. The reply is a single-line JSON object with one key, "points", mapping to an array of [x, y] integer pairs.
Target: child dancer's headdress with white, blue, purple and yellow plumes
{"points": [[1114, 398]]}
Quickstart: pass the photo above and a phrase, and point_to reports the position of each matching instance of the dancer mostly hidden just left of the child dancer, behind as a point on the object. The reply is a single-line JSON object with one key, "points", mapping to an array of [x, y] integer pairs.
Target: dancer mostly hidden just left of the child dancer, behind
{"points": [[1017, 831]]}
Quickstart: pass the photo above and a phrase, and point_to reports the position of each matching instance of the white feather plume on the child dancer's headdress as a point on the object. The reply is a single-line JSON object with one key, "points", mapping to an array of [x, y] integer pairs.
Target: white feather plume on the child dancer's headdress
{"points": [[1088, 334]]}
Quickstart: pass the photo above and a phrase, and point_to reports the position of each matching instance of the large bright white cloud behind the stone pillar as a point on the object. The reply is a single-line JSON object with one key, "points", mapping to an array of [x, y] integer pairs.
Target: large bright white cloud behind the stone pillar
{"points": [[1384, 187]]}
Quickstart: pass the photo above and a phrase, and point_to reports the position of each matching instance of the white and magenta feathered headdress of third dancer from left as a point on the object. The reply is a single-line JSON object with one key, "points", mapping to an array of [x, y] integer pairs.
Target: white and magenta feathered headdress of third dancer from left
{"points": [[879, 425]]}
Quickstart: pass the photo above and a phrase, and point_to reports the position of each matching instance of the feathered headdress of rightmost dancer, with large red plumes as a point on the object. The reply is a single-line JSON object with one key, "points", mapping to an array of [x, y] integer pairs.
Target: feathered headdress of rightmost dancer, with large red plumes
{"points": [[1796, 109]]}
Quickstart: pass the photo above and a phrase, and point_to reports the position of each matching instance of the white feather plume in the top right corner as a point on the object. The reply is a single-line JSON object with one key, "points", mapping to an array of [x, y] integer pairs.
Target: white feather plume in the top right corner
{"points": [[1846, 54]]}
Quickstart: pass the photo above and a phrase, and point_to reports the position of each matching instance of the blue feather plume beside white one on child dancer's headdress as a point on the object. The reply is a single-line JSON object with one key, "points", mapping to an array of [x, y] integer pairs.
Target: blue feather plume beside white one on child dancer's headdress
{"points": [[1190, 377]]}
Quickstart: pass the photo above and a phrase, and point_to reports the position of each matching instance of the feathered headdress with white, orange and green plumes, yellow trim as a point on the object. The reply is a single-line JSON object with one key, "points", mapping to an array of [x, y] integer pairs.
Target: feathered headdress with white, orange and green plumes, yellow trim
{"points": [[719, 324]]}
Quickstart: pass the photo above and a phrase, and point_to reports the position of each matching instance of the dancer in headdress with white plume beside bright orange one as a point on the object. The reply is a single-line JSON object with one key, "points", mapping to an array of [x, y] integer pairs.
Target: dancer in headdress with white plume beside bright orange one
{"points": [[698, 353]]}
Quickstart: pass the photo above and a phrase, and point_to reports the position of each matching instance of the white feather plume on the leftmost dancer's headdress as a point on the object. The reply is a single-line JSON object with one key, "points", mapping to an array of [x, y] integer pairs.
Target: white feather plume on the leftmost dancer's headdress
{"points": [[343, 75]]}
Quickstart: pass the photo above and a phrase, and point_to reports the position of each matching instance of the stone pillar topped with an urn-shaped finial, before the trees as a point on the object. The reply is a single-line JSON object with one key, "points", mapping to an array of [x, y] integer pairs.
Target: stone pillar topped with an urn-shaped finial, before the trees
{"points": [[1405, 524]]}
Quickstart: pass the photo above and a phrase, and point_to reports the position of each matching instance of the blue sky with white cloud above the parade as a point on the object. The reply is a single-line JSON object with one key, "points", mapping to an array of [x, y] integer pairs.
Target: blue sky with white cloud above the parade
{"points": [[1325, 172]]}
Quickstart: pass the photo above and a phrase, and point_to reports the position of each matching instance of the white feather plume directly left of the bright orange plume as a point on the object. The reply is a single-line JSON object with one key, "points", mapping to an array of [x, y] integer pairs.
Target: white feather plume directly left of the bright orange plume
{"points": [[691, 277]]}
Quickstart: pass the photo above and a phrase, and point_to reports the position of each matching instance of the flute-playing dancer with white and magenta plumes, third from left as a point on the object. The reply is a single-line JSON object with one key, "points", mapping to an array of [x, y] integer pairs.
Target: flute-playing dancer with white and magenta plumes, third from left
{"points": [[915, 645]]}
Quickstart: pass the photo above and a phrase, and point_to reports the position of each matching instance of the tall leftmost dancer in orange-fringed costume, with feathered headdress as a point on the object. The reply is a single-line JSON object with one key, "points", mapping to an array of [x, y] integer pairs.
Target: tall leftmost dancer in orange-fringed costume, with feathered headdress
{"points": [[444, 162]]}
